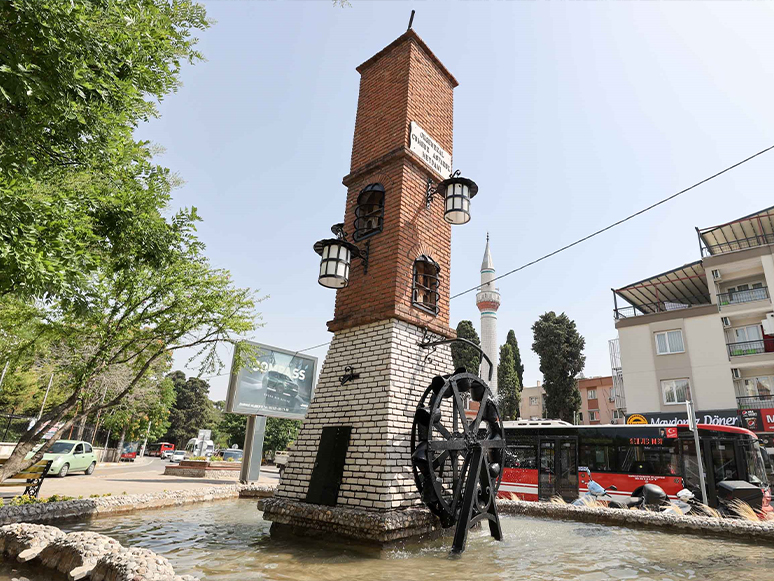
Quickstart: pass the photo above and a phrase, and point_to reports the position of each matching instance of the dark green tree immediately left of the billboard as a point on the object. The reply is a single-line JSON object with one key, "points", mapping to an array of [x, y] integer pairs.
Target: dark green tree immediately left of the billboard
{"points": [[191, 411]]}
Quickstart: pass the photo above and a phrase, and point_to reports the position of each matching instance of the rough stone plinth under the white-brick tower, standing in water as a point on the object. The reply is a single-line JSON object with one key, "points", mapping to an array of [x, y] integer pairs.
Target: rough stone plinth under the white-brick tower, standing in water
{"points": [[351, 523]]}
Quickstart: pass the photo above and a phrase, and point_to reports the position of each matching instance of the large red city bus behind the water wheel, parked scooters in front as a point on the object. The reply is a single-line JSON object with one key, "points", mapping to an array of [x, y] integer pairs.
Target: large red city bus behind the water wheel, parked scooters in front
{"points": [[543, 459]]}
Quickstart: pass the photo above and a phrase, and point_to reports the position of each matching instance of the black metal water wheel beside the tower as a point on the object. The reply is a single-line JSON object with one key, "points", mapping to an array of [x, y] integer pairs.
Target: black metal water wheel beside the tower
{"points": [[457, 461]]}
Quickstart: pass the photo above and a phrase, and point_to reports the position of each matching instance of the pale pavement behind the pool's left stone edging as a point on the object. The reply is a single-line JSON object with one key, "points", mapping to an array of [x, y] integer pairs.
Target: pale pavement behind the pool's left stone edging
{"points": [[145, 475]]}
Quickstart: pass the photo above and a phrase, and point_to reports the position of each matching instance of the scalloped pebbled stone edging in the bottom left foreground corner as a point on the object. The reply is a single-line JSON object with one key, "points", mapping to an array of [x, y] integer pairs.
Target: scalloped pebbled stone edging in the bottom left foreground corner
{"points": [[84, 554]]}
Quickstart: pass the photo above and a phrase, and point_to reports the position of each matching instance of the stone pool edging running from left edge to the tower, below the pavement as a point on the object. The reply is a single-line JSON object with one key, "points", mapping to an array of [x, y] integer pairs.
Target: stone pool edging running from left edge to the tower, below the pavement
{"points": [[88, 507]]}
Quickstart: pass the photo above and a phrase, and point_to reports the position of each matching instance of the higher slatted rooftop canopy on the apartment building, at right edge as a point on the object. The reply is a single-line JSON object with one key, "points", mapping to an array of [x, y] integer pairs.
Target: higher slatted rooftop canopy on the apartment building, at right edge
{"points": [[753, 230]]}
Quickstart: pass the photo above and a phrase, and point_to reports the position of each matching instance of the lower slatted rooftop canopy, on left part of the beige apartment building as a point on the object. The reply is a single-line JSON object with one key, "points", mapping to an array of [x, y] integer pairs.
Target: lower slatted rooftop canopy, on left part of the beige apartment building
{"points": [[680, 288]]}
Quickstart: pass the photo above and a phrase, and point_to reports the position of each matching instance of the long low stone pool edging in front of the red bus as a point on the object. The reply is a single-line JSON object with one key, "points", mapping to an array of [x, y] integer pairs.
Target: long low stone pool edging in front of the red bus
{"points": [[731, 528]]}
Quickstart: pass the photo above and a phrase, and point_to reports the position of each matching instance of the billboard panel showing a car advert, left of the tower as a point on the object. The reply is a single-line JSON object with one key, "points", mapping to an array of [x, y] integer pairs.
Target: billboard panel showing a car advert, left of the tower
{"points": [[279, 384]]}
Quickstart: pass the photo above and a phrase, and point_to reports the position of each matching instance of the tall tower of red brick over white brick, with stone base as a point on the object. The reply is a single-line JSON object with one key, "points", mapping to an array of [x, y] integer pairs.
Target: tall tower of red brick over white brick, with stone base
{"points": [[350, 470]]}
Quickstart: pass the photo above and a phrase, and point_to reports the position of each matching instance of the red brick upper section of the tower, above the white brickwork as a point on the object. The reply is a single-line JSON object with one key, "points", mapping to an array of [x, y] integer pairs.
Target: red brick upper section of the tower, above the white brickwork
{"points": [[402, 83]]}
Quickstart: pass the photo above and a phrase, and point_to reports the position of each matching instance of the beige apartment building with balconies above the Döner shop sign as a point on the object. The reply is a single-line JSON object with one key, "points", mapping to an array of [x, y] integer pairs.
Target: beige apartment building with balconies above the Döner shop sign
{"points": [[705, 329]]}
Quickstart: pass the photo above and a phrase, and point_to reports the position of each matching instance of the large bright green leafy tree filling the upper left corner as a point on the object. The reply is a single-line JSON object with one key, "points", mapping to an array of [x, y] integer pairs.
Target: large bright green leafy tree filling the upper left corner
{"points": [[76, 189]]}
